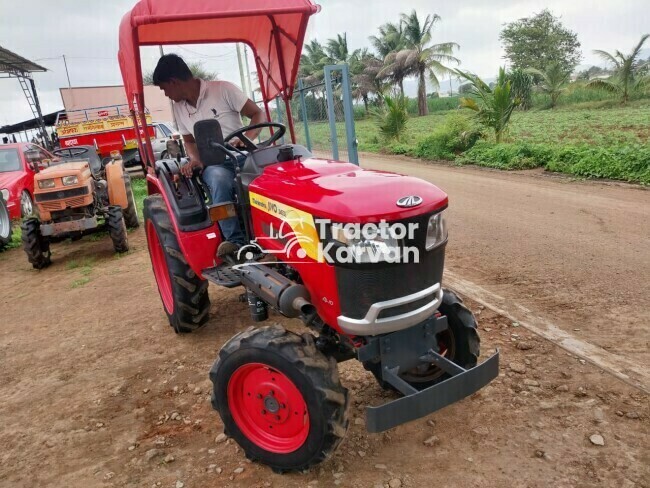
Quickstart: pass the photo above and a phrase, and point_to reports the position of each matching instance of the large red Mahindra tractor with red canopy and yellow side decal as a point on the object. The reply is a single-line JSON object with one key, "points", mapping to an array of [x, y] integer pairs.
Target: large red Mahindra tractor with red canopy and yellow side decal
{"points": [[330, 244]]}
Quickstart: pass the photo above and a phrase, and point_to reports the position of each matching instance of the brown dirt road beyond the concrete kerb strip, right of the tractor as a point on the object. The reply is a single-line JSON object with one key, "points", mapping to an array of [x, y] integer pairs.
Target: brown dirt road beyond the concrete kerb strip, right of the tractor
{"points": [[576, 253]]}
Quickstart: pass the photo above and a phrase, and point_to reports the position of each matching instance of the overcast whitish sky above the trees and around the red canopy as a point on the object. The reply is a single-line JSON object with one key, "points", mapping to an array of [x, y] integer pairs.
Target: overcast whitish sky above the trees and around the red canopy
{"points": [[86, 32]]}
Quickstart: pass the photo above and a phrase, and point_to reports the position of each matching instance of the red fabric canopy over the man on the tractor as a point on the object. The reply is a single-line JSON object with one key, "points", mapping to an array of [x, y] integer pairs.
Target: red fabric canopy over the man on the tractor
{"points": [[274, 30]]}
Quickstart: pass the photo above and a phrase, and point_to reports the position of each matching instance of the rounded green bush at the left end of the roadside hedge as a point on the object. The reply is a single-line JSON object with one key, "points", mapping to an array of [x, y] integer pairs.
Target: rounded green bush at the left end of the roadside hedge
{"points": [[456, 134]]}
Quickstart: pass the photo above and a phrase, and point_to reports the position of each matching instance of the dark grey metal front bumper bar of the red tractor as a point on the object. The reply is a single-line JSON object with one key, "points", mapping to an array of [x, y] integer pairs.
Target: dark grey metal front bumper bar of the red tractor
{"points": [[419, 404]]}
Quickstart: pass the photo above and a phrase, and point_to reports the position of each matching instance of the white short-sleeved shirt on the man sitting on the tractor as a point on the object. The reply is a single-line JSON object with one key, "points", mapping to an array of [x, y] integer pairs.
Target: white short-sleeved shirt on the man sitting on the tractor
{"points": [[216, 98]]}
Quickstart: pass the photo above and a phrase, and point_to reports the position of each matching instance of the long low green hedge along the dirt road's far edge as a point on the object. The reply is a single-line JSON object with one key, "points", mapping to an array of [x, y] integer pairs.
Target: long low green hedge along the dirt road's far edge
{"points": [[629, 162]]}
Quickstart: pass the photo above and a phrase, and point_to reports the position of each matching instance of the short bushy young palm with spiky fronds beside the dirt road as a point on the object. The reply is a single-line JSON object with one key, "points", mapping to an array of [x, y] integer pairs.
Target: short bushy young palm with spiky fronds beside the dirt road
{"points": [[493, 106]]}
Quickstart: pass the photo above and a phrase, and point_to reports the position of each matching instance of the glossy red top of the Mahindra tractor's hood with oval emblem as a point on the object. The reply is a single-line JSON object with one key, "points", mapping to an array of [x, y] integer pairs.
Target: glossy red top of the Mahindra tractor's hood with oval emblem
{"points": [[344, 192]]}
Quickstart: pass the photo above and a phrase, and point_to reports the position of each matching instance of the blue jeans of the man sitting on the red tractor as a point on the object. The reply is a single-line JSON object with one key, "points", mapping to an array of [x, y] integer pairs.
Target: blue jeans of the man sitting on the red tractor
{"points": [[220, 179]]}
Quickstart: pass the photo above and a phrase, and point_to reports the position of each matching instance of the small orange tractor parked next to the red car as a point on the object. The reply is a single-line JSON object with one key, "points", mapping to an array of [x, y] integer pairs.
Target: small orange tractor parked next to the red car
{"points": [[76, 195]]}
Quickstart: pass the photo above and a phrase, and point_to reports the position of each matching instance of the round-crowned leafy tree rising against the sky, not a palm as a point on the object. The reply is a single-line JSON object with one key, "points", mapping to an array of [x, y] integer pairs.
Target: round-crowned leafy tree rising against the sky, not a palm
{"points": [[539, 41]]}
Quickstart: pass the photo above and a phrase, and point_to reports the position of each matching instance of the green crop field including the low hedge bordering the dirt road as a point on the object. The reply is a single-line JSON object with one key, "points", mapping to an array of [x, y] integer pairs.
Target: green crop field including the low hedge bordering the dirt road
{"points": [[574, 139]]}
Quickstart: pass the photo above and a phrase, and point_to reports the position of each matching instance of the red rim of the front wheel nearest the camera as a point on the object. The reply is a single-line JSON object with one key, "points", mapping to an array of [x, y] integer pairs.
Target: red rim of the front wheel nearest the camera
{"points": [[268, 408]]}
